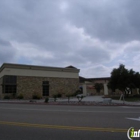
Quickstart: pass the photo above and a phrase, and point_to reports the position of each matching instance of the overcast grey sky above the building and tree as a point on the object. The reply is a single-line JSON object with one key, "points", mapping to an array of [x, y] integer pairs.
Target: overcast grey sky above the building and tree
{"points": [[92, 35]]}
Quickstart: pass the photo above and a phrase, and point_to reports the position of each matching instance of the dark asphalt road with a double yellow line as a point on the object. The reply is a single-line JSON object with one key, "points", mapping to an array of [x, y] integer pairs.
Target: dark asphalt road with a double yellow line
{"points": [[46, 122]]}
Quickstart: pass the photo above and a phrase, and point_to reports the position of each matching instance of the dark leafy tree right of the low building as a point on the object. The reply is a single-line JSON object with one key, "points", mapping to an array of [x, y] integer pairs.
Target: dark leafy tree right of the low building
{"points": [[122, 78]]}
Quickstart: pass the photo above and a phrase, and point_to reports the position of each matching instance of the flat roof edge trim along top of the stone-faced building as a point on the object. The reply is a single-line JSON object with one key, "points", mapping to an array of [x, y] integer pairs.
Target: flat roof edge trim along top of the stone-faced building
{"points": [[37, 67]]}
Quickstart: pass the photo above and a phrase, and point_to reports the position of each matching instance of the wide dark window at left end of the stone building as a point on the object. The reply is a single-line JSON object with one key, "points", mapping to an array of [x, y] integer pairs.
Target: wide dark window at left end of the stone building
{"points": [[9, 84]]}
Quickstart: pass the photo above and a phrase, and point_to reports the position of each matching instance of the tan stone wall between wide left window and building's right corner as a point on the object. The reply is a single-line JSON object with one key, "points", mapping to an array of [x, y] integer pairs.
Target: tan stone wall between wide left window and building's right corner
{"points": [[33, 85]]}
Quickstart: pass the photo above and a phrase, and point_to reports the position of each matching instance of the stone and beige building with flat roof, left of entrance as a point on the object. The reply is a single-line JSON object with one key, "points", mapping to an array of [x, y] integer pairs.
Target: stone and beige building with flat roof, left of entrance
{"points": [[44, 81]]}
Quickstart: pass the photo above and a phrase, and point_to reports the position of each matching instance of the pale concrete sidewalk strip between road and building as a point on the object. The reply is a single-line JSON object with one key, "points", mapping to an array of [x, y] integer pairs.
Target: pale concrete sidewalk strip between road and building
{"points": [[88, 100]]}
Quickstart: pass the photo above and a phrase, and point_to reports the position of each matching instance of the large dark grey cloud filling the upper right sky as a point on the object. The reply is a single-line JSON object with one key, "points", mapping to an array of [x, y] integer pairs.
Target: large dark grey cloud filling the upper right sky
{"points": [[107, 20]]}
